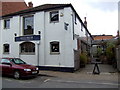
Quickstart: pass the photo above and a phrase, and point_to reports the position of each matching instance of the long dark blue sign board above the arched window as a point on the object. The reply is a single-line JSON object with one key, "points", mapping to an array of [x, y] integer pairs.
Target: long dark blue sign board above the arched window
{"points": [[27, 38]]}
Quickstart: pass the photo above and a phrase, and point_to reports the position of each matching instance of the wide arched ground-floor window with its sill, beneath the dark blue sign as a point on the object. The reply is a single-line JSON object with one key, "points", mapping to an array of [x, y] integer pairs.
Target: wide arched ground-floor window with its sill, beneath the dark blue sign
{"points": [[25, 48]]}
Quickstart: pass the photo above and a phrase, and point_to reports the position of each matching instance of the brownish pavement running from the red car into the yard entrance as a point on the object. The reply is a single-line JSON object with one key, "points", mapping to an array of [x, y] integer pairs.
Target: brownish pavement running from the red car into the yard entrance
{"points": [[107, 73]]}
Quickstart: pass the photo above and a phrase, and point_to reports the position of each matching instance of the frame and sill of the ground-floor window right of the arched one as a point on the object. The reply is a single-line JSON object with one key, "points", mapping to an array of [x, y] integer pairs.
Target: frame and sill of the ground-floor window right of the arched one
{"points": [[55, 43]]}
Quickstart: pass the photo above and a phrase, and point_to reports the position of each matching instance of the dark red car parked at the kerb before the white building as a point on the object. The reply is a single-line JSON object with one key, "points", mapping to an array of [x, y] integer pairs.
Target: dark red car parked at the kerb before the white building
{"points": [[17, 68]]}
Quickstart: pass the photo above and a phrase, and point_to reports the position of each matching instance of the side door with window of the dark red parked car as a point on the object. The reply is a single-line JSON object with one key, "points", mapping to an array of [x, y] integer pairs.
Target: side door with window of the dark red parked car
{"points": [[6, 67]]}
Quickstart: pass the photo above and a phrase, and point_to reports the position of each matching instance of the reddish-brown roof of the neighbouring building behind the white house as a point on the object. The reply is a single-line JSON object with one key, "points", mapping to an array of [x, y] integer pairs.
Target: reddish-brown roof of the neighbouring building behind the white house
{"points": [[11, 7]]}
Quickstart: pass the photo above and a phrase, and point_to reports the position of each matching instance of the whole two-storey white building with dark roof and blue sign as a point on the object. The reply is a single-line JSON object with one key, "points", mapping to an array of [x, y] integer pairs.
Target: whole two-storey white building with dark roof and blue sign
{"points": [[50, 36]]}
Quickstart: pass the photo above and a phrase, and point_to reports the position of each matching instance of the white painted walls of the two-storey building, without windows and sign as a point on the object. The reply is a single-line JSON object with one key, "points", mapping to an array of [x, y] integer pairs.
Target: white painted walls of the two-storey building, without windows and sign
{"points": [[49, 32]]}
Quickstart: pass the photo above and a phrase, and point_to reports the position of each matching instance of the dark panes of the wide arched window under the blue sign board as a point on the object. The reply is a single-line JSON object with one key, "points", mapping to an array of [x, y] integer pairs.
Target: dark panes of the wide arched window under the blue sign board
{"points": [[27, 47]]}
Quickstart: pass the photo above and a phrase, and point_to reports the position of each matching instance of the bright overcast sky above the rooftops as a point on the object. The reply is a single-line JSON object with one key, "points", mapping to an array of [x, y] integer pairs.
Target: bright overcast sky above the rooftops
{"points": [[102, 15]]}
